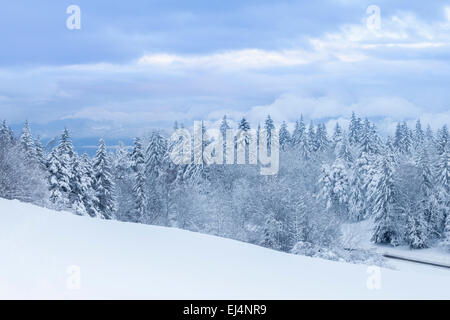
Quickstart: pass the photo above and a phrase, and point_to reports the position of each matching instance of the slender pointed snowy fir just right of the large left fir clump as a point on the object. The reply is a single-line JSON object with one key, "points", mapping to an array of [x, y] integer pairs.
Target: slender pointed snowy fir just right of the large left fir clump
{"points": [[103, 183]]}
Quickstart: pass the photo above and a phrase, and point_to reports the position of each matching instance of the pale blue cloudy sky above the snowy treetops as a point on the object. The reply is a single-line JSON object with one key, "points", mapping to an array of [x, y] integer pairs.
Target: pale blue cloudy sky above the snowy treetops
{"points": [[138, 65]]}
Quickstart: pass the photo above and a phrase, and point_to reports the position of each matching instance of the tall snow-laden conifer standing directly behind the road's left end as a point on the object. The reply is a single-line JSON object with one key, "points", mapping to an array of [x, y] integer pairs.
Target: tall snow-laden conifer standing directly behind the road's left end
{"points": [[384, 197]]}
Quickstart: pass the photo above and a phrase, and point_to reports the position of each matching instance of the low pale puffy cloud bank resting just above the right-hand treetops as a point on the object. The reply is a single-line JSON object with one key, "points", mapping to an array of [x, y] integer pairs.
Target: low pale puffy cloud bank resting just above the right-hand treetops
{"points": [[385, 111]]}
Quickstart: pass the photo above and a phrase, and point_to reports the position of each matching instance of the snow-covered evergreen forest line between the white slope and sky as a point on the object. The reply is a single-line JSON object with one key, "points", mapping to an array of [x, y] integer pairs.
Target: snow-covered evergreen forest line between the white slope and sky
{"points": [[401, 182]]}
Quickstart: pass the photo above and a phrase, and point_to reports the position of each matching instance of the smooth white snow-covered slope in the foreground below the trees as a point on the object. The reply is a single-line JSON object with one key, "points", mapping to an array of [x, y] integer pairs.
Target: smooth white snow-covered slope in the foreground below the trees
{"points": [[124, 260]]}
